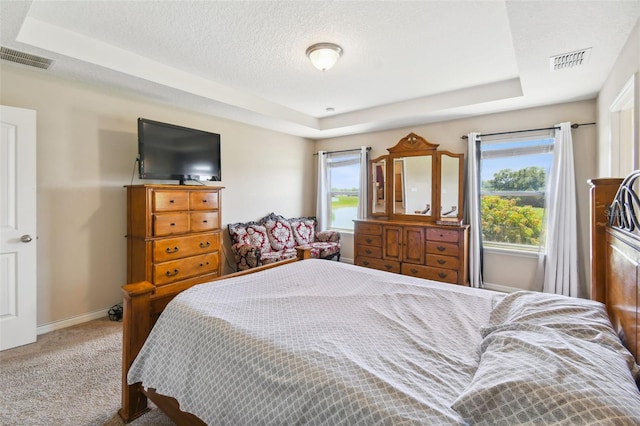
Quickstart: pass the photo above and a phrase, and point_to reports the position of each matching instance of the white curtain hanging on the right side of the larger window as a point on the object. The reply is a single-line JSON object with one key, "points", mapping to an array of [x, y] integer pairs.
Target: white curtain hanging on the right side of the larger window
{"points": [[561, 263]]}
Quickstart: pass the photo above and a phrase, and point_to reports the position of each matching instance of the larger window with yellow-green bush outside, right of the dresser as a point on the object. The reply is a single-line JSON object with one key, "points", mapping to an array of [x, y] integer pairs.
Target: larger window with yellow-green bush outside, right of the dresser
{"points": [[514, 178]]}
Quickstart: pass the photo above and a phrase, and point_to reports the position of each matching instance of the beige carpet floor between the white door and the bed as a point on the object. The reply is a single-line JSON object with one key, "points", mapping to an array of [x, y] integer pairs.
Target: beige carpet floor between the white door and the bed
{"points": [[68, 377]]}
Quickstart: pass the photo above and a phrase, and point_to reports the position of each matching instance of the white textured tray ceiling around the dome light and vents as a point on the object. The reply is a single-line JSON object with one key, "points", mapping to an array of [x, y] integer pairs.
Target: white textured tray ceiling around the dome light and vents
{"points": [[404, 63]]}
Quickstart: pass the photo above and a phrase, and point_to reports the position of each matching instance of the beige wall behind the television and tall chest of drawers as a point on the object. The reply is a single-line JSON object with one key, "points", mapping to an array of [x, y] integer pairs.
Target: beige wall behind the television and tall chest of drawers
{"points": [[86, 148]]}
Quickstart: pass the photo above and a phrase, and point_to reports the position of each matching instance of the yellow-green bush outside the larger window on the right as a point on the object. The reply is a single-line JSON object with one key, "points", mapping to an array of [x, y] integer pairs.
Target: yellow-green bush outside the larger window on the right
{"points": [[504, 221]]}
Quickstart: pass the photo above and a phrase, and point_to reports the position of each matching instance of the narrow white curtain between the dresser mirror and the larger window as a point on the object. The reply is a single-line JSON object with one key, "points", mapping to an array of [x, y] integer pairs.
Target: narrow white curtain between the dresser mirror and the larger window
{"points": [[473, 210]]}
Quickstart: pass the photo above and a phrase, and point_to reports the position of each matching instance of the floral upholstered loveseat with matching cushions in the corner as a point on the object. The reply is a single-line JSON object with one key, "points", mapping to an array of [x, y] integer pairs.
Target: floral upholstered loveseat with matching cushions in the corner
{"points": [[275, 238]]}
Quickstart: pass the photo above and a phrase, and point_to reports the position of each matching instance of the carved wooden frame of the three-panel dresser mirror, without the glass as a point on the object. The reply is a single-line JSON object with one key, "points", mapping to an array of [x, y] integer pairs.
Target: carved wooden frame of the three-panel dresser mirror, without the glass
{"points": [[413, 145]]}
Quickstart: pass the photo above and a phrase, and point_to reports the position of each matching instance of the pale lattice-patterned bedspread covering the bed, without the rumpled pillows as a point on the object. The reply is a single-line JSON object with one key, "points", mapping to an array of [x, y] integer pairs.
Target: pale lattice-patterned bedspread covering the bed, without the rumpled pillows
{"points": [[317, 342]]}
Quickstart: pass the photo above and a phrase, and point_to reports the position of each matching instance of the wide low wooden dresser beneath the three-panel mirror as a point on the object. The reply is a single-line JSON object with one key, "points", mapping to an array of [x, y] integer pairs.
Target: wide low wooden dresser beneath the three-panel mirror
{"points": [[422, 250]]}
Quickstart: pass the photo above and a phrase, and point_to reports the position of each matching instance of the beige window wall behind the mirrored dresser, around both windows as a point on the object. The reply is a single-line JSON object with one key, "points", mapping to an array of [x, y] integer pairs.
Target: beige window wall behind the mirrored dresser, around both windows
{"points": [[500, 269]]}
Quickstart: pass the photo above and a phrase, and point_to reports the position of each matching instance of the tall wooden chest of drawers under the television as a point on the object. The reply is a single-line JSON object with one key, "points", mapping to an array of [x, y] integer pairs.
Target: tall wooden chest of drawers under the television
{"points": [[173, 233]]}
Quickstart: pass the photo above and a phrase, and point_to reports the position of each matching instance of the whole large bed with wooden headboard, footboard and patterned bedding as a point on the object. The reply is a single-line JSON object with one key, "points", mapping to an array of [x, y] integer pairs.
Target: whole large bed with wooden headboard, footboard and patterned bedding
{"points": [[316, 342]]}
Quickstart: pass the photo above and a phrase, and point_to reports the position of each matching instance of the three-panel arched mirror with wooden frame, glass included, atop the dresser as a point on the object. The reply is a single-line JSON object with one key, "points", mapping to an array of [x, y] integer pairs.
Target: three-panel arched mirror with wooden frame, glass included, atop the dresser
{"points": [[417, 182]]}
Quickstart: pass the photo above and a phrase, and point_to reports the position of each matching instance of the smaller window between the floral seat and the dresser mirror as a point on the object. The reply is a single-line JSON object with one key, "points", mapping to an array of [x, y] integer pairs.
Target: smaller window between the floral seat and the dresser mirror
{"points": [[343, 175]]}
